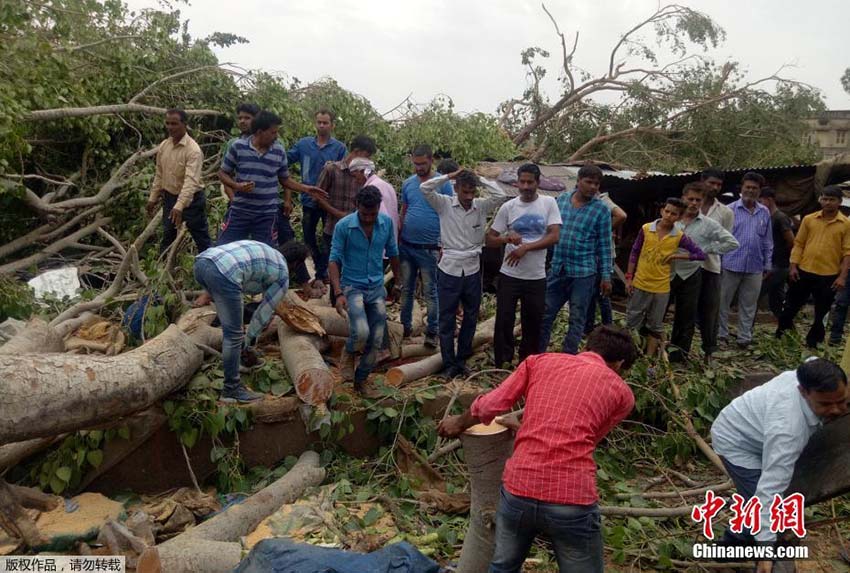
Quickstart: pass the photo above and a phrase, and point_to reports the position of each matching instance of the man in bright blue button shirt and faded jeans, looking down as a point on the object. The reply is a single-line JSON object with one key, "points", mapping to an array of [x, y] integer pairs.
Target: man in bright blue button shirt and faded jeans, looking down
{"points": [[359, 243]]}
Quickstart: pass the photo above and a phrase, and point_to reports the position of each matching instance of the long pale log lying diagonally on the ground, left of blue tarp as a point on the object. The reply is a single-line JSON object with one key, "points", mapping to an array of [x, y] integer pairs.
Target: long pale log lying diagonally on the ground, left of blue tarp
{"points": [[213, 546]]}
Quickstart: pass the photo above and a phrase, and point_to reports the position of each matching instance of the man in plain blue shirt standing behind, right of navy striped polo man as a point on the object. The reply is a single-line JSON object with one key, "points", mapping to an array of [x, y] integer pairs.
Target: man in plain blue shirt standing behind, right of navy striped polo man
{"points": [[312, 153]]}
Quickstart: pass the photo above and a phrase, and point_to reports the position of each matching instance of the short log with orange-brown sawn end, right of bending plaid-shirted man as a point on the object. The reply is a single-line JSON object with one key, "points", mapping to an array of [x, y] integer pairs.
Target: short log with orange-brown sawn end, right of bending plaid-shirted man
{"points": [[311, 377]]}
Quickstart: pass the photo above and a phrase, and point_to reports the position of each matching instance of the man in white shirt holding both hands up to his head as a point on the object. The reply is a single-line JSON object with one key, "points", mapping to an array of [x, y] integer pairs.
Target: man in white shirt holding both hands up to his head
{"points": [[463, 220]]}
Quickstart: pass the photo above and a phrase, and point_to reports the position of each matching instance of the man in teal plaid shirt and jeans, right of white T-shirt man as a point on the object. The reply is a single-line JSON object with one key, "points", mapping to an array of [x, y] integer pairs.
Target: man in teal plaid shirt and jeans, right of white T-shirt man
{"points": [[583, 251]]}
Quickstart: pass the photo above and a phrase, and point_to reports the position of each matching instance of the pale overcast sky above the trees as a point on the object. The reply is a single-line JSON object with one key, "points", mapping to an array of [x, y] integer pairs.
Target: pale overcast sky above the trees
{"points": [[470, 49]]}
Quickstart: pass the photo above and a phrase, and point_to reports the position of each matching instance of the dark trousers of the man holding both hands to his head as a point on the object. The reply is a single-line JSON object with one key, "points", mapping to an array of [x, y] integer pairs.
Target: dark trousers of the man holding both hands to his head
{"points": [[451, 292]]}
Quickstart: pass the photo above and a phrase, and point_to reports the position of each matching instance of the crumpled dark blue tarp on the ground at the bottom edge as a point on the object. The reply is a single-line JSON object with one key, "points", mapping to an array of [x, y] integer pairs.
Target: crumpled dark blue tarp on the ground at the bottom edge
{"points": [[282, 555]]}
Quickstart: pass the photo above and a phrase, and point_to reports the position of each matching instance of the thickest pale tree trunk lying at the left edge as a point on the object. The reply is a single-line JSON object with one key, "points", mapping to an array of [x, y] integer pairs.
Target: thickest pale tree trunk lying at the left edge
{"points": [[47, 394]]}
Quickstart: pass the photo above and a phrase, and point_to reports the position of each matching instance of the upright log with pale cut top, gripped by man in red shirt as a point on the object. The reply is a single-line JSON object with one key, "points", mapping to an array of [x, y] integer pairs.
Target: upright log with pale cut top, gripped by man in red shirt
{"points": [[485, 449]]}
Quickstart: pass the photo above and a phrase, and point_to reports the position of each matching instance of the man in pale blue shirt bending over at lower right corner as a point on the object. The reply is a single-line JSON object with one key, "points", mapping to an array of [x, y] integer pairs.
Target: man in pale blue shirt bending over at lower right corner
{"points": [[759, 436]]}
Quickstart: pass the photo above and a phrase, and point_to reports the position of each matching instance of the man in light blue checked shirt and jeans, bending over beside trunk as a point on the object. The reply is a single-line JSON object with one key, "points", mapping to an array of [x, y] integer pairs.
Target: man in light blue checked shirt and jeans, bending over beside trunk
{"points": [[230, 271]]}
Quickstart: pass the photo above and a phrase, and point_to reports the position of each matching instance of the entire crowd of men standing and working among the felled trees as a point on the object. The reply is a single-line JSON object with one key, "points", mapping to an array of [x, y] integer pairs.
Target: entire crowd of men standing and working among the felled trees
{"points": [[699, 256]]}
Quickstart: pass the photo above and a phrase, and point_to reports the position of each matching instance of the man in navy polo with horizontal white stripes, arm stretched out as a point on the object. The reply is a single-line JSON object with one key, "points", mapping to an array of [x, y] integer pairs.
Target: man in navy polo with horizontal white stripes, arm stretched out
{"points": [[252, 168]]}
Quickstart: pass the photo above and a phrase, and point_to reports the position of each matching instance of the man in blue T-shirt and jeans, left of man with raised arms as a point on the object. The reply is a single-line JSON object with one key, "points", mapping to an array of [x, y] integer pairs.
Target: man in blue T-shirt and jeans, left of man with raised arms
{"points": [[420, 244]]}
